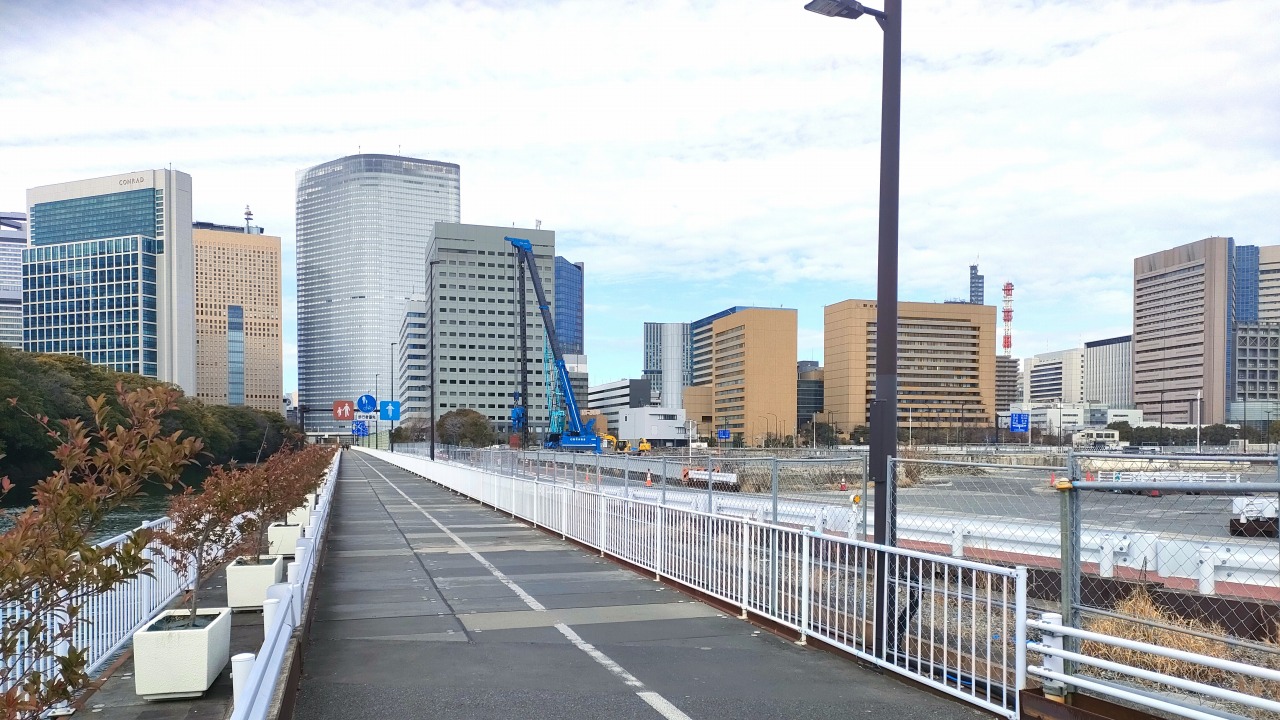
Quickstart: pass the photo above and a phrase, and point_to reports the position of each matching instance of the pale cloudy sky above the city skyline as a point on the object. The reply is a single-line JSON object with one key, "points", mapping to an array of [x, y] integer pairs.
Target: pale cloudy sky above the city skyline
{"points": [[697, 156]]}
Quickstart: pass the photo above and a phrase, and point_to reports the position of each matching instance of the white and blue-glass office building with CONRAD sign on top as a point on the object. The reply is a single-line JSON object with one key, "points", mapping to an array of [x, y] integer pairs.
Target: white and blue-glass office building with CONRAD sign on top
{"points": [[109, 275]]}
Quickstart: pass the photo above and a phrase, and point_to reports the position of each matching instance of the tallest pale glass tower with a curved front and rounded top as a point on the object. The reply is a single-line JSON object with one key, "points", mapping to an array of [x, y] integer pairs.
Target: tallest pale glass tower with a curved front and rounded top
{"points": [[364, 227]]}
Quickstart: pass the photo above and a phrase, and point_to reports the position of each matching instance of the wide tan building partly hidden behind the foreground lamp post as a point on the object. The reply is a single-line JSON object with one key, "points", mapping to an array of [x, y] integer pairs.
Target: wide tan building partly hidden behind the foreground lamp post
{"points": [[947, 363]]}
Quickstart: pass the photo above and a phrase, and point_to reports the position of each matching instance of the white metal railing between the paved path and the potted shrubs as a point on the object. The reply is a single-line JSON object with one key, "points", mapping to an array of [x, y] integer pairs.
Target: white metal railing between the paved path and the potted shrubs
{"points": [[254, 676]]}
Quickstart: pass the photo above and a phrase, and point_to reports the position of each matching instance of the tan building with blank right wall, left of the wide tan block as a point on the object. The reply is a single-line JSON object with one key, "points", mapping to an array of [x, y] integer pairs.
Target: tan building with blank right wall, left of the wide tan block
{"points": [[746, 359]]}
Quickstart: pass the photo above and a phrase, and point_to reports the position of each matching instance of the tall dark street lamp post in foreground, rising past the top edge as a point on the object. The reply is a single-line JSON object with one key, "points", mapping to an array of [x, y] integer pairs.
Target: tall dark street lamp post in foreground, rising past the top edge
{"points": [[885, 407]]}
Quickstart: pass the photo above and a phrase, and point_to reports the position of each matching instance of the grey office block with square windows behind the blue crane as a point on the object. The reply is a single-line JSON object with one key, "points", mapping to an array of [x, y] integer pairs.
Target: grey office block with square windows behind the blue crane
{"points": [[477, 326]]}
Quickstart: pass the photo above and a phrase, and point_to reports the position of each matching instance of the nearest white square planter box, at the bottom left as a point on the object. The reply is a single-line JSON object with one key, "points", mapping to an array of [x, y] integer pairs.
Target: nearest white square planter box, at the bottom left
{"points": [[171, 664]]}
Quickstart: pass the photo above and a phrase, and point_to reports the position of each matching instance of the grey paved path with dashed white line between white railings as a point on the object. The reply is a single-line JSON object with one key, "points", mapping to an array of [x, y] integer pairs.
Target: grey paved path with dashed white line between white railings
{"points": [[433, 607]]}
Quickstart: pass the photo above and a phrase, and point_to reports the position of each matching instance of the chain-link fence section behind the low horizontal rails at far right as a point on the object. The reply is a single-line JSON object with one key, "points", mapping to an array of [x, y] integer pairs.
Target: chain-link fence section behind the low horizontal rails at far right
{"points": [[1180, 553]]}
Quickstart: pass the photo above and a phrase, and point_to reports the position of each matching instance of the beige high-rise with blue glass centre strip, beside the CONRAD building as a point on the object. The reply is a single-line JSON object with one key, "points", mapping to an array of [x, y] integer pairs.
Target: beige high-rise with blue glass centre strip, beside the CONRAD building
{"points": [[239, 354]]}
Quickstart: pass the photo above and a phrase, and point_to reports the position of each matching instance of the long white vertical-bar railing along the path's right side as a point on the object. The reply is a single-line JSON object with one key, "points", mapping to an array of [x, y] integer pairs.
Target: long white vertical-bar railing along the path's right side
{"points": [[956, 625]]}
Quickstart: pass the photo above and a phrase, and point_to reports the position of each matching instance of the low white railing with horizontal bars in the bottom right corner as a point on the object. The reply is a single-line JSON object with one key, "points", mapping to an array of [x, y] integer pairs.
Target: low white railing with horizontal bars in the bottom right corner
{"points": [[1055, 672]]}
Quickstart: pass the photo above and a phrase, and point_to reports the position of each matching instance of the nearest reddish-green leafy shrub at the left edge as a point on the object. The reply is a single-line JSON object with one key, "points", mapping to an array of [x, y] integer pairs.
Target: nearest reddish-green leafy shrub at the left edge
{"points": [[49, 564]]}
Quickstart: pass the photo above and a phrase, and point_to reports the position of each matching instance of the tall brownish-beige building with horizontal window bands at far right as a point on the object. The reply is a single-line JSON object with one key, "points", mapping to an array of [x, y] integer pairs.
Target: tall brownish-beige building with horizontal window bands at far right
{"points": [[1182, 303]]}
